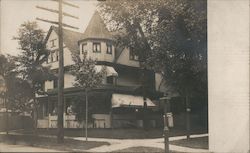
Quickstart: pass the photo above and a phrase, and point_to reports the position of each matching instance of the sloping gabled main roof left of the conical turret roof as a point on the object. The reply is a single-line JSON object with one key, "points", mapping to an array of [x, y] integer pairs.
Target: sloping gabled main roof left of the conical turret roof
{"points": [[70, 38]]}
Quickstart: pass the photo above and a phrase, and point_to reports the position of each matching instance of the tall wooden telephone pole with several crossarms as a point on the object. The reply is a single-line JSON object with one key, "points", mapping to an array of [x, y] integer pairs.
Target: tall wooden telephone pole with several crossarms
{"points": [[60, 105]]}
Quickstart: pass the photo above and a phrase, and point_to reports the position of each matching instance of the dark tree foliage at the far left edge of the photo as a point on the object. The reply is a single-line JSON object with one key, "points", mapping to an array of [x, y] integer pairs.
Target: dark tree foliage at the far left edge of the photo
{"points": [[18, 91]]}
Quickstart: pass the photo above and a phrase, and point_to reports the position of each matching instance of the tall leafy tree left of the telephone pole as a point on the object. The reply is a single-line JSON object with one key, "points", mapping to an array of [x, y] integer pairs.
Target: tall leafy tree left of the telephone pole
{"points": [[30, 61]]}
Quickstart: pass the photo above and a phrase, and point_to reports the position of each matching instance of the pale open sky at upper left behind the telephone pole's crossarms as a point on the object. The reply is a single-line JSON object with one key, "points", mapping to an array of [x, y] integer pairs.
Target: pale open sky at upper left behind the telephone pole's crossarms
{"points": [[15, 12]]}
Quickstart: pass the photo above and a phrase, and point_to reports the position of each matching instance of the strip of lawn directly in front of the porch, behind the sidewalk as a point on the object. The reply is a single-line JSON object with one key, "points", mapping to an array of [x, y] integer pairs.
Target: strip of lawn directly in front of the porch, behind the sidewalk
{"points": [[116, 133]]}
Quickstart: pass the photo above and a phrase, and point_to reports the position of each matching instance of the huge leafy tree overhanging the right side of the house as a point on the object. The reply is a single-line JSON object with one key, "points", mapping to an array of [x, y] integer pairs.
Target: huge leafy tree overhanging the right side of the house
{"points": [[170, 37]]}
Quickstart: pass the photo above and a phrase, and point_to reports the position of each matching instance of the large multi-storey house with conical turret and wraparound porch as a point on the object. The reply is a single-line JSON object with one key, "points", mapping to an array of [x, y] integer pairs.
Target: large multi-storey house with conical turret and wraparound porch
{"points": [[119, 101]]}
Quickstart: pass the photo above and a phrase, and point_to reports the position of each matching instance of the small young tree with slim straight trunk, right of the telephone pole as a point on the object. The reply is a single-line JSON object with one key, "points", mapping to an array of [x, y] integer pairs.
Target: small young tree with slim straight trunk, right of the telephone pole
{"points": [[86, 77]]}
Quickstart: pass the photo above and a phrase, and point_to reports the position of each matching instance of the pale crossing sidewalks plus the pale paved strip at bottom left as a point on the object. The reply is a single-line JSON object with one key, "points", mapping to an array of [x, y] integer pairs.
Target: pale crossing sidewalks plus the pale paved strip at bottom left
{"points": [[115, 144]]}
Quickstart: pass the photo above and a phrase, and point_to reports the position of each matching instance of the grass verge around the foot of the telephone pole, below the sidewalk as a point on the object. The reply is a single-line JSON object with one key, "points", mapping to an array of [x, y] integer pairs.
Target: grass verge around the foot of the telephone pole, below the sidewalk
{"points": [[50, 142]]}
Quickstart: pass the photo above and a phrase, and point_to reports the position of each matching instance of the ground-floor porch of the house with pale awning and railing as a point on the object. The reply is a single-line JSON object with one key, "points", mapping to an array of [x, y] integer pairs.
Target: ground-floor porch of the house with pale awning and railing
{"points": [[106, 110]]}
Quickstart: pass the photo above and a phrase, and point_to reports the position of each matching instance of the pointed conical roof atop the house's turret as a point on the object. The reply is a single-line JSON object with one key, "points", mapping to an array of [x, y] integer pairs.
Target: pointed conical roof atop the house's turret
{"points": [[97, 29]]}
